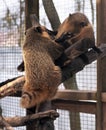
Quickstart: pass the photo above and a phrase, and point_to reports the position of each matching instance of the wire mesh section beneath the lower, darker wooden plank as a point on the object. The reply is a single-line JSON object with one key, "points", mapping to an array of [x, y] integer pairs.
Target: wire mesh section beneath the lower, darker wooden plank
{"points": [[86, 122]]}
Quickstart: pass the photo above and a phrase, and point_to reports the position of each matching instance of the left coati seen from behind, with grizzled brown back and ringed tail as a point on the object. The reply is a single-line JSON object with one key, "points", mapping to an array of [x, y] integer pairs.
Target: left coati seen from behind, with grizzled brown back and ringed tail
{"points": [[42, 77]]}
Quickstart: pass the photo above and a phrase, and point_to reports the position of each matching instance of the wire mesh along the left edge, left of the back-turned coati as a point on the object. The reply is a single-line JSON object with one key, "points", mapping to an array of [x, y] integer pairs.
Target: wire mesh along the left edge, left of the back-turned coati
{"points": [[11, 23]]}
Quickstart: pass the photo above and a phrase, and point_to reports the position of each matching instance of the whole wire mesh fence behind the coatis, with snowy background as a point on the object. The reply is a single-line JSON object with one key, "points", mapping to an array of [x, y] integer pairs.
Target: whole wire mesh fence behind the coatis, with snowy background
{"points": [[12, 36]]}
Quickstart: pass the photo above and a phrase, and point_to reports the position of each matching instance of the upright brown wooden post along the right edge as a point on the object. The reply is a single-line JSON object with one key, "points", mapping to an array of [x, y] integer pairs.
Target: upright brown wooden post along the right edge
{"points": [[101, 65]]}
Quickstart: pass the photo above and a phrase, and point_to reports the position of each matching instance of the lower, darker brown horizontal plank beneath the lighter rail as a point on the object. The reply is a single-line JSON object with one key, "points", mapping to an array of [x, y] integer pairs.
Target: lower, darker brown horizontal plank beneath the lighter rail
{"points": [[75, 106]]}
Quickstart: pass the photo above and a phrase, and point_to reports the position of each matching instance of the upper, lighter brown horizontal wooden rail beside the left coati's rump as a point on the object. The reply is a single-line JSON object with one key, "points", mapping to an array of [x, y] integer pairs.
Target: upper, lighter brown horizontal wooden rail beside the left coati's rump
{"points": [[75, 95]]}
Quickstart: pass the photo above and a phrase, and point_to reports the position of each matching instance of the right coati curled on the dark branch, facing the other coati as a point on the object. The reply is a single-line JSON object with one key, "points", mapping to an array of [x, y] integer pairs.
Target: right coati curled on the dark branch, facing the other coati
{"points": [[76, 28]]}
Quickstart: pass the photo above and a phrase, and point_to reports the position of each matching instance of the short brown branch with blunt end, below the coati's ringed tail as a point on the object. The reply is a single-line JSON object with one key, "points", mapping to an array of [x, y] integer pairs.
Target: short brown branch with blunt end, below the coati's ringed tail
{"points": [[25, 120]]}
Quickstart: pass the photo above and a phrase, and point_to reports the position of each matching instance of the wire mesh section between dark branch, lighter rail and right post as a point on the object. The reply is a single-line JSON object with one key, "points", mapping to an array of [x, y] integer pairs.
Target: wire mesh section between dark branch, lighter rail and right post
{"points": [[87, 78]]}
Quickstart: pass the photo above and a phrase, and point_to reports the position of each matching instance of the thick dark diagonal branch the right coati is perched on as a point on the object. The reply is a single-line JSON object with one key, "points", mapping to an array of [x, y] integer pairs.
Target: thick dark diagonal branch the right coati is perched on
{"points": [[78, 64]]}
